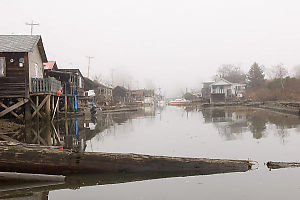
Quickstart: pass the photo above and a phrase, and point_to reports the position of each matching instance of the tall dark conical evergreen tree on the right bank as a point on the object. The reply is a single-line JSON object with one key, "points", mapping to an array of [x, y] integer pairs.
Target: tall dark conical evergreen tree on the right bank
{"points": [[255, 76]]}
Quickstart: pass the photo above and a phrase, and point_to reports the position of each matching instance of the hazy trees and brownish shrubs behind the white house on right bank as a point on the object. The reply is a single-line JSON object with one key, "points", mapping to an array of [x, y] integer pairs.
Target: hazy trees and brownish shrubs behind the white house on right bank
{"points": [[278, 86]]}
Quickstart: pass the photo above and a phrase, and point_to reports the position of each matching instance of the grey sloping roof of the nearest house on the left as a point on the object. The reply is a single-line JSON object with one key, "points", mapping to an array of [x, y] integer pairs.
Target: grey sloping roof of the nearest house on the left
{"points": [[18, 43]]}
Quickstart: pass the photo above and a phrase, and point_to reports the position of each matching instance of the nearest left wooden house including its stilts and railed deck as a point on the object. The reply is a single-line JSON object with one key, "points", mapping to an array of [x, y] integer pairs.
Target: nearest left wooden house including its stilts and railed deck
{"points": [[22, 78]]}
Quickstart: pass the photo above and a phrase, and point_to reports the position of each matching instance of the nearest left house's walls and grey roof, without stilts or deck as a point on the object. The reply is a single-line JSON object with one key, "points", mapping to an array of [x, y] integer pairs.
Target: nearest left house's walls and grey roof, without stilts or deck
{"points": [[21, 61]]}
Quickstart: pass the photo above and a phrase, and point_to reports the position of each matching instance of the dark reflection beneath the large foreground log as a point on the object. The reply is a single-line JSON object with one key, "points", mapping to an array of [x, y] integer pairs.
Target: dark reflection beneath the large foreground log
{"points": [[40, 190]]}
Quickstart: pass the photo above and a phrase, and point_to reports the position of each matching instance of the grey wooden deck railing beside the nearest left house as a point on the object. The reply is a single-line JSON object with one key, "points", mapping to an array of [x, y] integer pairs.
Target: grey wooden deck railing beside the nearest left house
{"points": [[48, 85]]}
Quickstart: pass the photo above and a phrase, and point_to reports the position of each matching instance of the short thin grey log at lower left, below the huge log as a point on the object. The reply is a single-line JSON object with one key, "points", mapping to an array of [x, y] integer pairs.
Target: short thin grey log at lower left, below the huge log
{"points": [[13, 176]]}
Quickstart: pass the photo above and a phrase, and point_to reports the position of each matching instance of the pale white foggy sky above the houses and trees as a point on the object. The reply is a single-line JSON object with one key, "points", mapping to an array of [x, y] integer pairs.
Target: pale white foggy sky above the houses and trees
{"points": [[170, 44]]}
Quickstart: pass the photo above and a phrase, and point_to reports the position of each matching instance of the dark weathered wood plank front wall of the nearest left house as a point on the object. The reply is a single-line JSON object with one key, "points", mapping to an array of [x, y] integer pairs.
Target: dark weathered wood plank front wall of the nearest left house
{"points": [[13, 84]]}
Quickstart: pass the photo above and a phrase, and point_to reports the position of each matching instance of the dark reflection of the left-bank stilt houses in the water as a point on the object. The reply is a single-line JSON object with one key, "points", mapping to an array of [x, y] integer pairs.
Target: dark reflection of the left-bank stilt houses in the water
{"points": [[74, 133]]}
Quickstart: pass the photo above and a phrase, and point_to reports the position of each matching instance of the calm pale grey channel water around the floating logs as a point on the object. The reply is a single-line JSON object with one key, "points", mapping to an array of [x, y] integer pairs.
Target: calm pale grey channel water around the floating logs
{"points": [[213, 133]]}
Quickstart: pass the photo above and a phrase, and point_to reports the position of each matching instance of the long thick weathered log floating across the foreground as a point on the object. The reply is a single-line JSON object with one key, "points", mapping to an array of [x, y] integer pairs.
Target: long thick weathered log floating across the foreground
{"points": [[25, 158]]}
